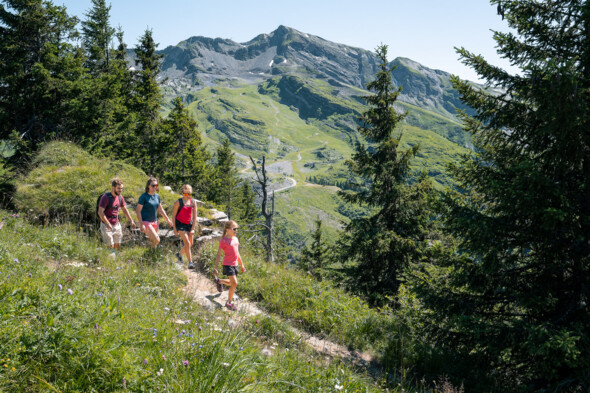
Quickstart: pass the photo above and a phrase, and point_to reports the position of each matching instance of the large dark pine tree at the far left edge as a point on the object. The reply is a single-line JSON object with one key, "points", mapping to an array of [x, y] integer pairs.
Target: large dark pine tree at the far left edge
{"points": [[39, 73]]}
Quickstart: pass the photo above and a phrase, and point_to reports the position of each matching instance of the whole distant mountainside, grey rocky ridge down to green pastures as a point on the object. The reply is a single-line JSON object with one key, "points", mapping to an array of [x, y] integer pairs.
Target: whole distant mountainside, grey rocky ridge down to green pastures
{"points": [[295, 99]]}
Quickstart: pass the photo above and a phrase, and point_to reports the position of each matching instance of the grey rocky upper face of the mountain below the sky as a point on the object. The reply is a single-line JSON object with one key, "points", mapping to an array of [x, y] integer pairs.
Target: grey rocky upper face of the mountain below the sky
{"points": [[200, 62]]}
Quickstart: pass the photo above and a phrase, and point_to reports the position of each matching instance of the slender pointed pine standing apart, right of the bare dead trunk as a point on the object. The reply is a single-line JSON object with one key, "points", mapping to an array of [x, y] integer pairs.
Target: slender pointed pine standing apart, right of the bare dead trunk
{"points": [[383, 245]]}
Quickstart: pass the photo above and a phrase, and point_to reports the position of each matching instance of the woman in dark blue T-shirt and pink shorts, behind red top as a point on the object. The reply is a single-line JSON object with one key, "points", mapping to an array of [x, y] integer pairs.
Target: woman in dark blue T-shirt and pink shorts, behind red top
{"points": [[147, 210]]}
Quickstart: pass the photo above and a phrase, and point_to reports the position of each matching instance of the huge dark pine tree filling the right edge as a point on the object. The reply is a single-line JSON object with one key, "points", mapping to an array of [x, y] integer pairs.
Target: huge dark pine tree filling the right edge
{"points": [[513, 304]]}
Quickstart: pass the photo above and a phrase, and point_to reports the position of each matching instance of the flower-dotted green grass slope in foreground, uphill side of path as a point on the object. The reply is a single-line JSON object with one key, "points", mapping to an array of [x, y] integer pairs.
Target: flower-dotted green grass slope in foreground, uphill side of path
{"points": [[74, 320]]}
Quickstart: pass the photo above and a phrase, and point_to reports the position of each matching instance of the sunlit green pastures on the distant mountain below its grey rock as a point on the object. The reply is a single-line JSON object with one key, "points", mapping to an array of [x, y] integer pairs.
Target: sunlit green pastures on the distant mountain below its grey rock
{"points": [[298, 140]]}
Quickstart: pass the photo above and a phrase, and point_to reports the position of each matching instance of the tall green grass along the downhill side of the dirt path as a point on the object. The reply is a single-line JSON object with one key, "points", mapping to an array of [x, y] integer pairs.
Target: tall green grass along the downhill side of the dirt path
{"points": [[319, 308]]}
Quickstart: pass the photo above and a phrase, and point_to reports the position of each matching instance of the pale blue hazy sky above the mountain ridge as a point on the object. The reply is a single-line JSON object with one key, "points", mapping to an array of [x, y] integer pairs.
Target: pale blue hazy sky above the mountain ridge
{"points": [[423, 30]]}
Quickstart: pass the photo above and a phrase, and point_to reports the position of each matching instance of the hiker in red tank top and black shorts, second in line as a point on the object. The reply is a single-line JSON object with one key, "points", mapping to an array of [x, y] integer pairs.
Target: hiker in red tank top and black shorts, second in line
{"points": [[185, 222]]}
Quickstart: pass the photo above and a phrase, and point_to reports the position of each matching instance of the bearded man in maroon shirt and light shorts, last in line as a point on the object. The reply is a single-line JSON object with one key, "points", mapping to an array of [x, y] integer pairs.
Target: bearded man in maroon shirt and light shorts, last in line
{"points": [[109, 204]]}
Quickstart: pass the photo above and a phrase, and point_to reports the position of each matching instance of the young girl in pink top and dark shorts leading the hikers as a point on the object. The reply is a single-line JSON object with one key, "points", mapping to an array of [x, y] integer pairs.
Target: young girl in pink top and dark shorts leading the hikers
{"points": [[229, 246]]}
